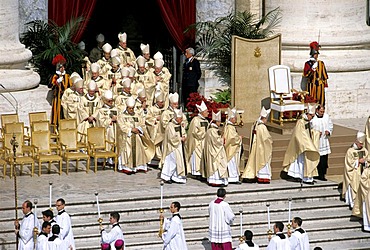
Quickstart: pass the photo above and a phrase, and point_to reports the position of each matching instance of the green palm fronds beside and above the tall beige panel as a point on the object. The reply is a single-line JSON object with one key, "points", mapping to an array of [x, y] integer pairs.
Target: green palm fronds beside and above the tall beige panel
{"points": [[214, 37]]}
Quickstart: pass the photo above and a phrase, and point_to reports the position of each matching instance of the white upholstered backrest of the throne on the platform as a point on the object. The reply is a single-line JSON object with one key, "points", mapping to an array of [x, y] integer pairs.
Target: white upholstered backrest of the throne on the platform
{"points": [[280, 81]]}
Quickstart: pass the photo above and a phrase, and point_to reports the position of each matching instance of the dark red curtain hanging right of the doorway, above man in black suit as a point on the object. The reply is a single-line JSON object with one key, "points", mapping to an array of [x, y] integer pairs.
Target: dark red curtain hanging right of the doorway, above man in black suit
{"points": [[178, 15]]}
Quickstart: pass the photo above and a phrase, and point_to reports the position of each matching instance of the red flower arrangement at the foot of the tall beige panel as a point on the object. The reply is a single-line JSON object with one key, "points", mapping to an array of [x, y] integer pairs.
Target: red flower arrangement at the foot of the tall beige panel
{"points": [[196, 98]]}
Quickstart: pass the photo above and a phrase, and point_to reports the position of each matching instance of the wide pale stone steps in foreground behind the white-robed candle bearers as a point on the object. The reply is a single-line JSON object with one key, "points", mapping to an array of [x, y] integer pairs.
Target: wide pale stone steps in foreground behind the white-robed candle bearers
{"points": [[326, 219]]}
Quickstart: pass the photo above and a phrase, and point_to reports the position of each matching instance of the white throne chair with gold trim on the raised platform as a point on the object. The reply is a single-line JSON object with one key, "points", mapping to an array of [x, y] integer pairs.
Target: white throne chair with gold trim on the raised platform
{"points": [[281, 94]]}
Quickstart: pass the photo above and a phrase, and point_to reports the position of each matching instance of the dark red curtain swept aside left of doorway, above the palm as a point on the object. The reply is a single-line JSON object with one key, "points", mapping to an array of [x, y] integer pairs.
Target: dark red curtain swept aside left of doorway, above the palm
{"points": [[61, 11]]}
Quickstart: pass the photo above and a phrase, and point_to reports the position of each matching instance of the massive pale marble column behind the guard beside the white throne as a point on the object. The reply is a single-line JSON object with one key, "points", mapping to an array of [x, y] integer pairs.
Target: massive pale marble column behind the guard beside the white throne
{"points": [[345, 39]]}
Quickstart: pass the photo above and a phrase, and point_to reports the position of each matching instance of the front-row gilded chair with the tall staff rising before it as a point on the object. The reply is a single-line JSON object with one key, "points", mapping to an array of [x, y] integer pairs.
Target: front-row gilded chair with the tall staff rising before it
{"points": [[21, 158]]}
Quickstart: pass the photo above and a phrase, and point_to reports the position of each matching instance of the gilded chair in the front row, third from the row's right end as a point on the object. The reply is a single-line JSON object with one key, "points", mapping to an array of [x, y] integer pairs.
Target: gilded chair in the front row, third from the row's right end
{"points": [[42, 150]]}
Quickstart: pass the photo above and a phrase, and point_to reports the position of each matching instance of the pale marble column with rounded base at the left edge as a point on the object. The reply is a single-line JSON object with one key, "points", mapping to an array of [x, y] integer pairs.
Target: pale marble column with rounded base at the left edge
{"points": [[14, 77]]}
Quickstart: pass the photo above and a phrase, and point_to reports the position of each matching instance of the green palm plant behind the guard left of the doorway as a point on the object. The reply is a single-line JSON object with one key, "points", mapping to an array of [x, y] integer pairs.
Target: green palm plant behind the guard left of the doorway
{"points": [[46, 40]]}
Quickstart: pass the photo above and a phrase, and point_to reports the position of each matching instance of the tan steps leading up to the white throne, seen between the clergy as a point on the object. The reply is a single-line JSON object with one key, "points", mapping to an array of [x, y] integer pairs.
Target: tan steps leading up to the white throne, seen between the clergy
{"points": [[340, 141]]}
